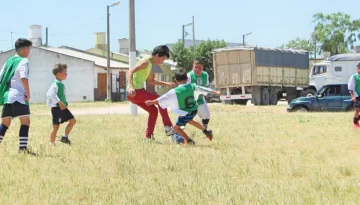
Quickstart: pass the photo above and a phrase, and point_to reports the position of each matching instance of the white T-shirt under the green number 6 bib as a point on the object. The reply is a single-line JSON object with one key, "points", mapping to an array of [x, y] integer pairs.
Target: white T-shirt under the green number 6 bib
{"points": [[170, 99]]}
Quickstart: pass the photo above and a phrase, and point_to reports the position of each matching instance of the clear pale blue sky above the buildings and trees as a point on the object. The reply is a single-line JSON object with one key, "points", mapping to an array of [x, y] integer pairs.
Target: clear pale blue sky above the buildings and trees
{"points": [[74, 22]]}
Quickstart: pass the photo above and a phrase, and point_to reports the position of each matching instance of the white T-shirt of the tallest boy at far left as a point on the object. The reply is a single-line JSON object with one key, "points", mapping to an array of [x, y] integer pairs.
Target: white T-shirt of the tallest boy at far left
{"points": [[17, 90]]}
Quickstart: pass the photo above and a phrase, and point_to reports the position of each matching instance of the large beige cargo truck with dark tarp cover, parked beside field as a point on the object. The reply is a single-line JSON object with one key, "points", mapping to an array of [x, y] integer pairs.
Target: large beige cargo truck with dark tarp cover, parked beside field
{"points": [[262, 75]]}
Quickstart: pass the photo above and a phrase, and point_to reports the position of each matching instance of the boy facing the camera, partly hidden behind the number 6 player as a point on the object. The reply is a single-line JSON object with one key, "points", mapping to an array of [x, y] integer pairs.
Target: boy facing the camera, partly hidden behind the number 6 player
{"points": [[201, 78]]}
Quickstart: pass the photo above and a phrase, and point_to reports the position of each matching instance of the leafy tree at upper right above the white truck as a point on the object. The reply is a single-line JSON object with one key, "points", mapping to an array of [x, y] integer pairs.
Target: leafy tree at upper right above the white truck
{"points": [[336, 32]]}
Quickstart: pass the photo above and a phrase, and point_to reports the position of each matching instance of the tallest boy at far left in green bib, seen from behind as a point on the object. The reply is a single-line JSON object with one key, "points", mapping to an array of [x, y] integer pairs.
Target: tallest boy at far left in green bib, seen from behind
{"points": [[15, 93]]}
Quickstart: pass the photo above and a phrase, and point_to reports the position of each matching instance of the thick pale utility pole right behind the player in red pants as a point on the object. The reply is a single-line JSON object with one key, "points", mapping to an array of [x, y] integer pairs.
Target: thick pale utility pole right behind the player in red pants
{"points": [[132, 52]]}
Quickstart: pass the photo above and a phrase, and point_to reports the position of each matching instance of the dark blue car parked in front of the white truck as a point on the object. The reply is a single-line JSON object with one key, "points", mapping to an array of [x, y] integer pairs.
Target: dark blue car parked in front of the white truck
{"points": [[331, 97]]}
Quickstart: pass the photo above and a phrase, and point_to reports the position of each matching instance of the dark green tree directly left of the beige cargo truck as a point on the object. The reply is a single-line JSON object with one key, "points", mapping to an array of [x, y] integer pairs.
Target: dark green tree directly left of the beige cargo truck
{"points": [[185, 56]]}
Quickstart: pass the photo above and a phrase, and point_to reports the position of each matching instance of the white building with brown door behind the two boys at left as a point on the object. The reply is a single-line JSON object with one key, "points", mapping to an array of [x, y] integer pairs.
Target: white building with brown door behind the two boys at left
{"points": [[86, 80]]}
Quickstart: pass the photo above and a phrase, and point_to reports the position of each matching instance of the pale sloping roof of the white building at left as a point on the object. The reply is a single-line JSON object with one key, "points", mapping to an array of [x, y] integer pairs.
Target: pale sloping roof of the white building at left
{"points": [[99, 61]]}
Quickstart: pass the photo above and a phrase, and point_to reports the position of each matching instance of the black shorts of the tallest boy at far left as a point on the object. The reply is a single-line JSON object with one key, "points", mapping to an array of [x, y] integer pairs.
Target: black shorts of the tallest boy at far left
{"points": [[15, 109]]}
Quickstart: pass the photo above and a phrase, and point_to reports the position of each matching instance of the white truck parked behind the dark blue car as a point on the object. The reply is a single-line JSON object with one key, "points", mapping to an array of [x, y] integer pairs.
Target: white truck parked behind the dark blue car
{"points": [[336, 69]]}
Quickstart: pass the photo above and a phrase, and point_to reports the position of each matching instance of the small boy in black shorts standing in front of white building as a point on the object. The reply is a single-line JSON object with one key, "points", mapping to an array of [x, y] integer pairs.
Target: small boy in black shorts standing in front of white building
{"points": [[56, 100]]}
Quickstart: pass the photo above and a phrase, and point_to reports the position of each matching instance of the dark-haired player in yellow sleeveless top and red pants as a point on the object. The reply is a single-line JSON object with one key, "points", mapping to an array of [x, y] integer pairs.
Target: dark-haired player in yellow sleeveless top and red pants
{"points": [[138, 95]]}
